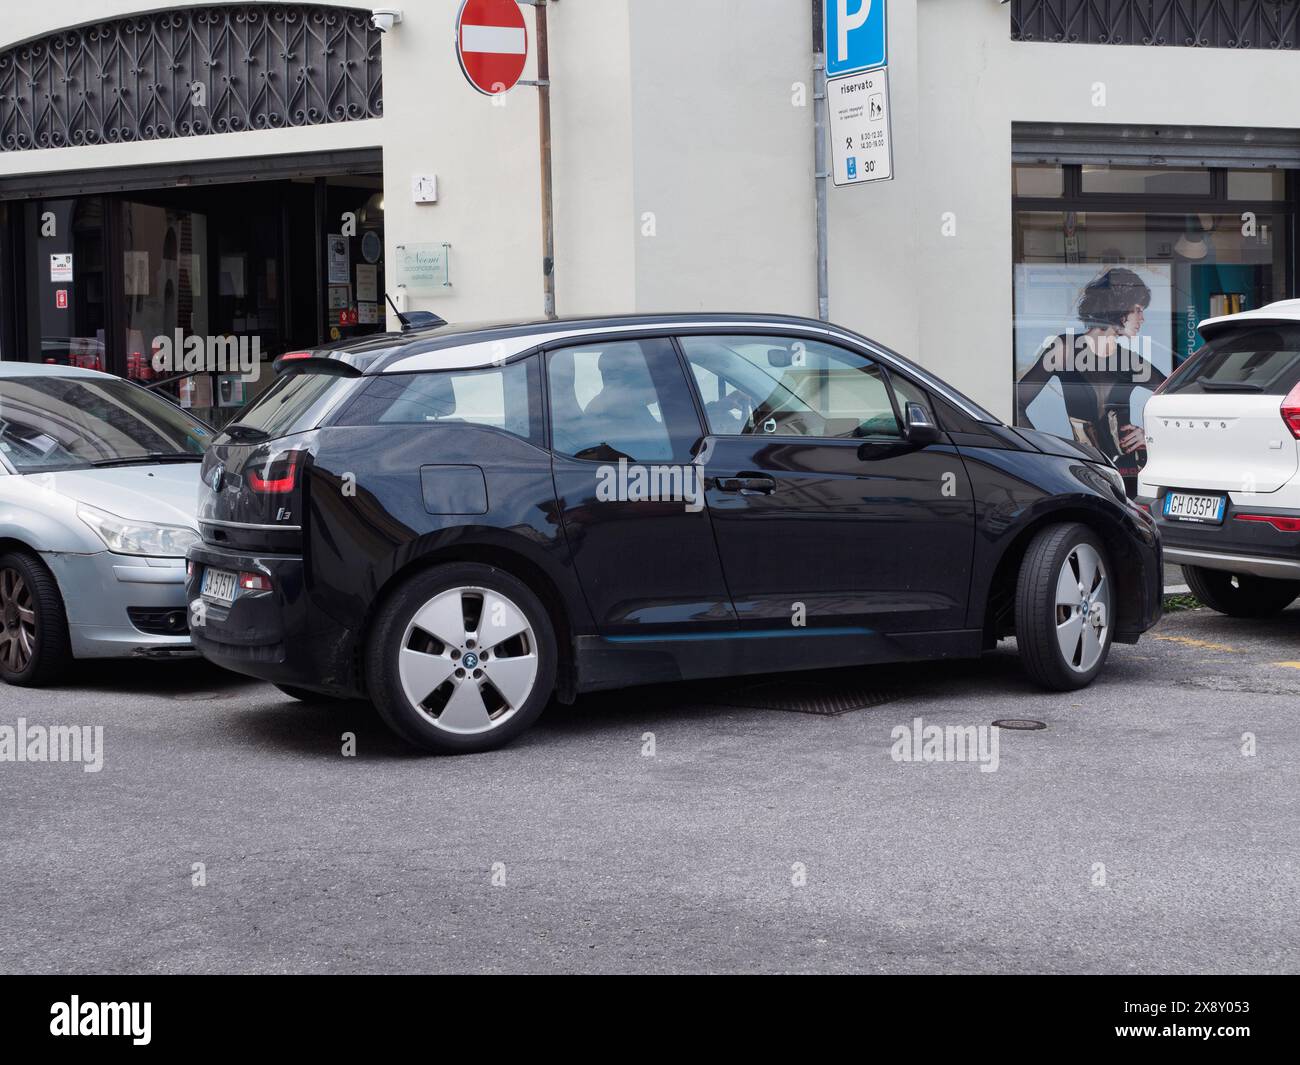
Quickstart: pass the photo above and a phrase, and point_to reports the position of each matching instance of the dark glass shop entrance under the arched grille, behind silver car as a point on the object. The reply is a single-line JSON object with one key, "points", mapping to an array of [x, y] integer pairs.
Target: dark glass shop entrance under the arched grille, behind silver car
{"points": [[151, 283]]}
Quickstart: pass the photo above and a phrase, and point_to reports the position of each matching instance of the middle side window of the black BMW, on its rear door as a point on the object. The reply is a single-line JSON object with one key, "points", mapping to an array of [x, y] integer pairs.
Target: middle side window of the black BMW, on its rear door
{"points": [[621, 400]]}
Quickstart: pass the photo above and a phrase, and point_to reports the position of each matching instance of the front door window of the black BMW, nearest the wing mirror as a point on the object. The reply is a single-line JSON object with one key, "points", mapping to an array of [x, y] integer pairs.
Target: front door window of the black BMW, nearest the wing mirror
{"points": [[790, 387]]}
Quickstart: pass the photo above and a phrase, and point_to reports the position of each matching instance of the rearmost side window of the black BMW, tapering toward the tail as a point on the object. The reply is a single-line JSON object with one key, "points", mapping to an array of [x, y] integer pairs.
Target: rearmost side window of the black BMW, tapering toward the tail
{"points": [[505, 397]]}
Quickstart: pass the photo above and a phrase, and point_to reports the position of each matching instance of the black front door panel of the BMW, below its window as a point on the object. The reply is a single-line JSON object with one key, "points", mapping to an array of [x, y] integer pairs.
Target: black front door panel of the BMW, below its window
{"points": [[877, 544]]}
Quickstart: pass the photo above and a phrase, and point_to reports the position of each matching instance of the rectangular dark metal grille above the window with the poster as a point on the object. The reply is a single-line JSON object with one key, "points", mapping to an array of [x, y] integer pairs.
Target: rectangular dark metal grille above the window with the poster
{"points": [[1194, 24]]}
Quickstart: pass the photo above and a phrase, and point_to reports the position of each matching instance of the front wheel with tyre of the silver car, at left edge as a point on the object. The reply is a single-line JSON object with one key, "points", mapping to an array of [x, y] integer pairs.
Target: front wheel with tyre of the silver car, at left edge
{"points": [[40, 653]]}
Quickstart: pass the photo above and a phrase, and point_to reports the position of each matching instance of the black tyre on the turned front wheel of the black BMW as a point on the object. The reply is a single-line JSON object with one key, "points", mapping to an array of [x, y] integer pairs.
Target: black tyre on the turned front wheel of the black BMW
{"points": [[1037, 611]]}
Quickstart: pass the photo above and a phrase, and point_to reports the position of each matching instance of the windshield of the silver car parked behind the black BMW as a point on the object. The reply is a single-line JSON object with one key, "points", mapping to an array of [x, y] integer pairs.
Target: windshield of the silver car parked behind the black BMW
{"points": [[79, 423]]}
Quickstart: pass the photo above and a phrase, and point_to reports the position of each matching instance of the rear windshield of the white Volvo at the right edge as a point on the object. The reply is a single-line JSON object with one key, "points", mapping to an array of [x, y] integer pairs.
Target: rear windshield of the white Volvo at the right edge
{"points": [[1263, 360]]}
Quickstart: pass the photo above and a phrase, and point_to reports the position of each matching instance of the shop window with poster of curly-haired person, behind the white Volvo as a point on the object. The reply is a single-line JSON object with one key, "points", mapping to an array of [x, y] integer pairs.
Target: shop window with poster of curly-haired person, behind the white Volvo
{"points": [[1107, 302]]}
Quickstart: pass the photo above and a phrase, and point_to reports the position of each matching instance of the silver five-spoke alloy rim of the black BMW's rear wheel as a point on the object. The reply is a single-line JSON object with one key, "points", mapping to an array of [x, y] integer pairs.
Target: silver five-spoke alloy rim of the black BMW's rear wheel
{"points": [[469, 660]]}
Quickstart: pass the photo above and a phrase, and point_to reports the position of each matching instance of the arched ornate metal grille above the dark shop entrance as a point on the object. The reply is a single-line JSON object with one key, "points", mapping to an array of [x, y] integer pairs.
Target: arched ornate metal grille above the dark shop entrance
{"points": [[190, 72]]}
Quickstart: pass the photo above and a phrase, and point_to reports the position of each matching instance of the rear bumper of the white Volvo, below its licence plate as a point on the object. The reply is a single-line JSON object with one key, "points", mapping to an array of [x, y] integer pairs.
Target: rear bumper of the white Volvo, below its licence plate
{"points": [[1236, 547]]}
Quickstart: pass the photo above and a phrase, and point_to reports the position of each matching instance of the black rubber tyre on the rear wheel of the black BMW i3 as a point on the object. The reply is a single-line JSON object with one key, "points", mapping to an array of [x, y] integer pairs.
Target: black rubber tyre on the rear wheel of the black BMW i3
{"points": [[419, 725]]}
